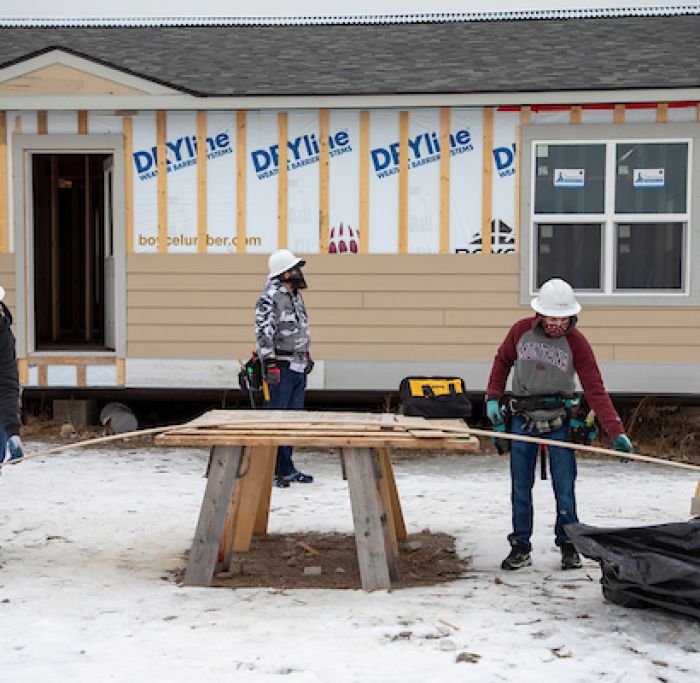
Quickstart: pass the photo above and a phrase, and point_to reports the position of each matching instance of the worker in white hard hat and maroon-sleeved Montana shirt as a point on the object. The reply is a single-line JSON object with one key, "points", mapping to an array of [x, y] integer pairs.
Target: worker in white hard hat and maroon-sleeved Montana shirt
{"points": [[546, 352]]}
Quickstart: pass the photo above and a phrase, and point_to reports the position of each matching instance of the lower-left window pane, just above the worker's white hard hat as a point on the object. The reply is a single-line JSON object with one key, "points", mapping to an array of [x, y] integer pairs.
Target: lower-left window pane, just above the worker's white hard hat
{"points": [[571, 252]]}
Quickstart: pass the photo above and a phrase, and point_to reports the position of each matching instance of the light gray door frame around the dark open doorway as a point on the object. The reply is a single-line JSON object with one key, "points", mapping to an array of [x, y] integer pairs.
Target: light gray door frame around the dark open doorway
{"points": [[25, 146]]}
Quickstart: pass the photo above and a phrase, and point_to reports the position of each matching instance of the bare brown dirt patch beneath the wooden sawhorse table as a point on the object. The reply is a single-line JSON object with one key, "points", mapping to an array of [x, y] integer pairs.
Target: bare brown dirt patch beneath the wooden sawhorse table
{"points": [[316, 560]]}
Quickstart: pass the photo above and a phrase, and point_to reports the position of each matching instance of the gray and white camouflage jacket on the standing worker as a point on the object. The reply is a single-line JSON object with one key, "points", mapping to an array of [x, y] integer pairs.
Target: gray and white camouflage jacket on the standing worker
{"points": [[282, 326]]}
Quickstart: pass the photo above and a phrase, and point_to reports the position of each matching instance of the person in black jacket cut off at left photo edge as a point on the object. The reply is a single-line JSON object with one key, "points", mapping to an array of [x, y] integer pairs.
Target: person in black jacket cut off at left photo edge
{"points": [[10, 439]]}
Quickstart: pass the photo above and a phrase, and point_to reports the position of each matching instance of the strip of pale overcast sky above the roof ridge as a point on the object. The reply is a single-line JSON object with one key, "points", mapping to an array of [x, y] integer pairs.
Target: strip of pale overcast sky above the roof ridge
{"points": [[140, 8]]}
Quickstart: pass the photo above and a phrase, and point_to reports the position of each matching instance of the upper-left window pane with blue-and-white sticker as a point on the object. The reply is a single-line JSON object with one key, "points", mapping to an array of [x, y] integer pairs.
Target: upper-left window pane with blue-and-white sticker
{"points": [[569, 178]]}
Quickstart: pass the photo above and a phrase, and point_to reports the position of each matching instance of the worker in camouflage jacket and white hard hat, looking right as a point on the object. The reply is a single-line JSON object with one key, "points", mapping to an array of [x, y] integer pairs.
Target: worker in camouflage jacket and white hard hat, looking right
{"points": [[282, 339]]}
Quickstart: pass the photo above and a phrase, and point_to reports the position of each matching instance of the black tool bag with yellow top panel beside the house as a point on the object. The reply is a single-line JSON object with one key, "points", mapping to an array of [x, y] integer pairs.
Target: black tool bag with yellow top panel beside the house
{"points": [[434, 397]]}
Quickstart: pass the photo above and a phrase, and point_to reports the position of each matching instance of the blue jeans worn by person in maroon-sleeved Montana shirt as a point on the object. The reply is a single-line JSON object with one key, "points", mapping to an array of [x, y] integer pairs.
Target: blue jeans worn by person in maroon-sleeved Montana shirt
{"points": [[562, 467]]}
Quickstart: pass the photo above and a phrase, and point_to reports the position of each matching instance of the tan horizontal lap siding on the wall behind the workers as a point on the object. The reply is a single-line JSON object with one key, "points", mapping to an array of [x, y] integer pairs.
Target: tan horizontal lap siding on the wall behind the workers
{"points": [[373, 307]]}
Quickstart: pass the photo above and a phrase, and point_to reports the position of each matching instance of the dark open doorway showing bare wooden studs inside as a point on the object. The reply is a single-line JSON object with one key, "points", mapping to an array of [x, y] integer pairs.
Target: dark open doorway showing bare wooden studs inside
{"points": [[73, 252]]}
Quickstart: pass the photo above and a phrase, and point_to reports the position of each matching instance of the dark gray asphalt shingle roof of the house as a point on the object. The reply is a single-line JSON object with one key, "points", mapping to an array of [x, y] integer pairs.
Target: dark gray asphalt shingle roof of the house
{"points": [[514, 56]]}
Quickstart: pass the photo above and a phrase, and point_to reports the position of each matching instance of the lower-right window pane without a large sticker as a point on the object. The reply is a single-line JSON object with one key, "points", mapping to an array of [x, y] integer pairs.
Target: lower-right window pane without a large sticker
{"points": [[649, 255]]}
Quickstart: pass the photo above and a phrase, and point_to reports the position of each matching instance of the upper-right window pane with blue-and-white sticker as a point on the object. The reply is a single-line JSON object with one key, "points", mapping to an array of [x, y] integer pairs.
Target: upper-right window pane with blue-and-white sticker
{"points": [[651, 178]]}
